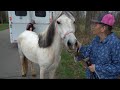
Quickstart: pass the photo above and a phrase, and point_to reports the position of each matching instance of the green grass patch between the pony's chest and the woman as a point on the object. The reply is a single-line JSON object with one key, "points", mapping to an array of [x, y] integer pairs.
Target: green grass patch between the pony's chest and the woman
{"points": [[68, 69]]}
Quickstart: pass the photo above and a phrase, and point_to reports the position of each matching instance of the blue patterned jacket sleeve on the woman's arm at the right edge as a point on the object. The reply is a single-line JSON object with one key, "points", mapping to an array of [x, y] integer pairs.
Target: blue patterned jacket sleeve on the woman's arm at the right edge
{"points": [[113, 68]]}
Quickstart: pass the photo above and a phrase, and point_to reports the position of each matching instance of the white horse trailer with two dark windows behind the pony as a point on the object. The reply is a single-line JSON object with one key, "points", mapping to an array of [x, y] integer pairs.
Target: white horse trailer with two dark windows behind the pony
{"points": [[18, 21]]}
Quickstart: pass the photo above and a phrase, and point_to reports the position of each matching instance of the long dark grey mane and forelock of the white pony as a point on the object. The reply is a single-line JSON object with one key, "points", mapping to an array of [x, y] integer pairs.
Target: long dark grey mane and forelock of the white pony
{"points": [[46, 40]]}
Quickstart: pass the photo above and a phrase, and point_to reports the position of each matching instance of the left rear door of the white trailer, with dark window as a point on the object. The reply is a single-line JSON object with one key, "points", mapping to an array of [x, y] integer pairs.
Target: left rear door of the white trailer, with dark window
{"points": [[19, 21]]}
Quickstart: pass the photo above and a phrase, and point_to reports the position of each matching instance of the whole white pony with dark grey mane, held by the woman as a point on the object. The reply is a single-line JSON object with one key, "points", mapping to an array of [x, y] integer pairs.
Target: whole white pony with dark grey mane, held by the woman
{"points": [[45, 48]]}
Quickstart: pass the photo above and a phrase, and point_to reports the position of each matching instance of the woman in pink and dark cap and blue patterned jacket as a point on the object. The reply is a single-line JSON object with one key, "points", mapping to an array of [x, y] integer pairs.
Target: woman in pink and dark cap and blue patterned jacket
{"points": [[104, 50]]}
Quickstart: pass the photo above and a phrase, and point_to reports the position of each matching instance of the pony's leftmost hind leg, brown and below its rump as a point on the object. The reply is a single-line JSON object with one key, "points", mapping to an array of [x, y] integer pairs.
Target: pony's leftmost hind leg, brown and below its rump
{"points": [[24, 65]]}
